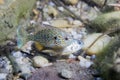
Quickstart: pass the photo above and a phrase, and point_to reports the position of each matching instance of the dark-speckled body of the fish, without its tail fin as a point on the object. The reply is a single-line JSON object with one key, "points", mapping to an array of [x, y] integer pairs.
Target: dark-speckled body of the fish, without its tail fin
{"points": [[52, 37]]}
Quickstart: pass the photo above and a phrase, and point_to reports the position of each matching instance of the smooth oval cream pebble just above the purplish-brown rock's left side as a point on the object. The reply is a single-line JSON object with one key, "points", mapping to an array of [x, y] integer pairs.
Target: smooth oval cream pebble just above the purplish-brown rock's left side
{"points": [[40, 61]]}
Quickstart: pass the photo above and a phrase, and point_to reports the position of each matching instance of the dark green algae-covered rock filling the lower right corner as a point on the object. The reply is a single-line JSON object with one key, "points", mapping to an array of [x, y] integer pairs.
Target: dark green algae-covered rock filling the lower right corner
{"points": [[105, 60]]}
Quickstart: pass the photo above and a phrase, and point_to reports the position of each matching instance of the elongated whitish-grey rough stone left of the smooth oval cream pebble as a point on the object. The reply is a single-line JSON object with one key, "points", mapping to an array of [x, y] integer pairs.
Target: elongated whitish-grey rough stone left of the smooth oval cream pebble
{"points": [[23, 62]]}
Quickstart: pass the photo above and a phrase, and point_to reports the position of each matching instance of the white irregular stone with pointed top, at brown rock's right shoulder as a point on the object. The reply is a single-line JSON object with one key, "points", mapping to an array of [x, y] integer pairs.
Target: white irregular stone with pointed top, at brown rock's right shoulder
{"points": [[84, 62]]}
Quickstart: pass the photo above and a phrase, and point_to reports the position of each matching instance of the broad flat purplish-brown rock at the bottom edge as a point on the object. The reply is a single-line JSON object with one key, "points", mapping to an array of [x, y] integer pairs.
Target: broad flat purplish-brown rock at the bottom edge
{"points": [[52, 72]]}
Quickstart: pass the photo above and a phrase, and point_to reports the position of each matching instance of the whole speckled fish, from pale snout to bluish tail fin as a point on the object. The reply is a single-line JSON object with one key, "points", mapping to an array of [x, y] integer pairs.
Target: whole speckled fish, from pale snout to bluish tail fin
{"points": [[48, 37]]}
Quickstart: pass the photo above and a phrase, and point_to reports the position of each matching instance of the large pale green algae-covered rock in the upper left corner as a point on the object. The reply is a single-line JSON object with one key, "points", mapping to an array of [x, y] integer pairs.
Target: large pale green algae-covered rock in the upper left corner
{"points": [[11, 12]]}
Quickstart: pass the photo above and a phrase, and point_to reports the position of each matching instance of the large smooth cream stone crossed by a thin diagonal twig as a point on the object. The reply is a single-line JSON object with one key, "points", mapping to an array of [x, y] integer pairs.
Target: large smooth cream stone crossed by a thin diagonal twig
{"points": [[98, 46]]}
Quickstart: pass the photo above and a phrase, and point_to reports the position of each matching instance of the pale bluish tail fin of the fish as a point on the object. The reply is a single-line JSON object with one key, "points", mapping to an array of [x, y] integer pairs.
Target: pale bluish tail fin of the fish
{"points": [[21, 36]]}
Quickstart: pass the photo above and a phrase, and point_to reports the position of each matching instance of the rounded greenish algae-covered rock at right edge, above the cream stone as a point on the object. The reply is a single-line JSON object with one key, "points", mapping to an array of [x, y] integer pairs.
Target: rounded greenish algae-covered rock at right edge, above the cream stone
{"points": [[106, 21]]}
